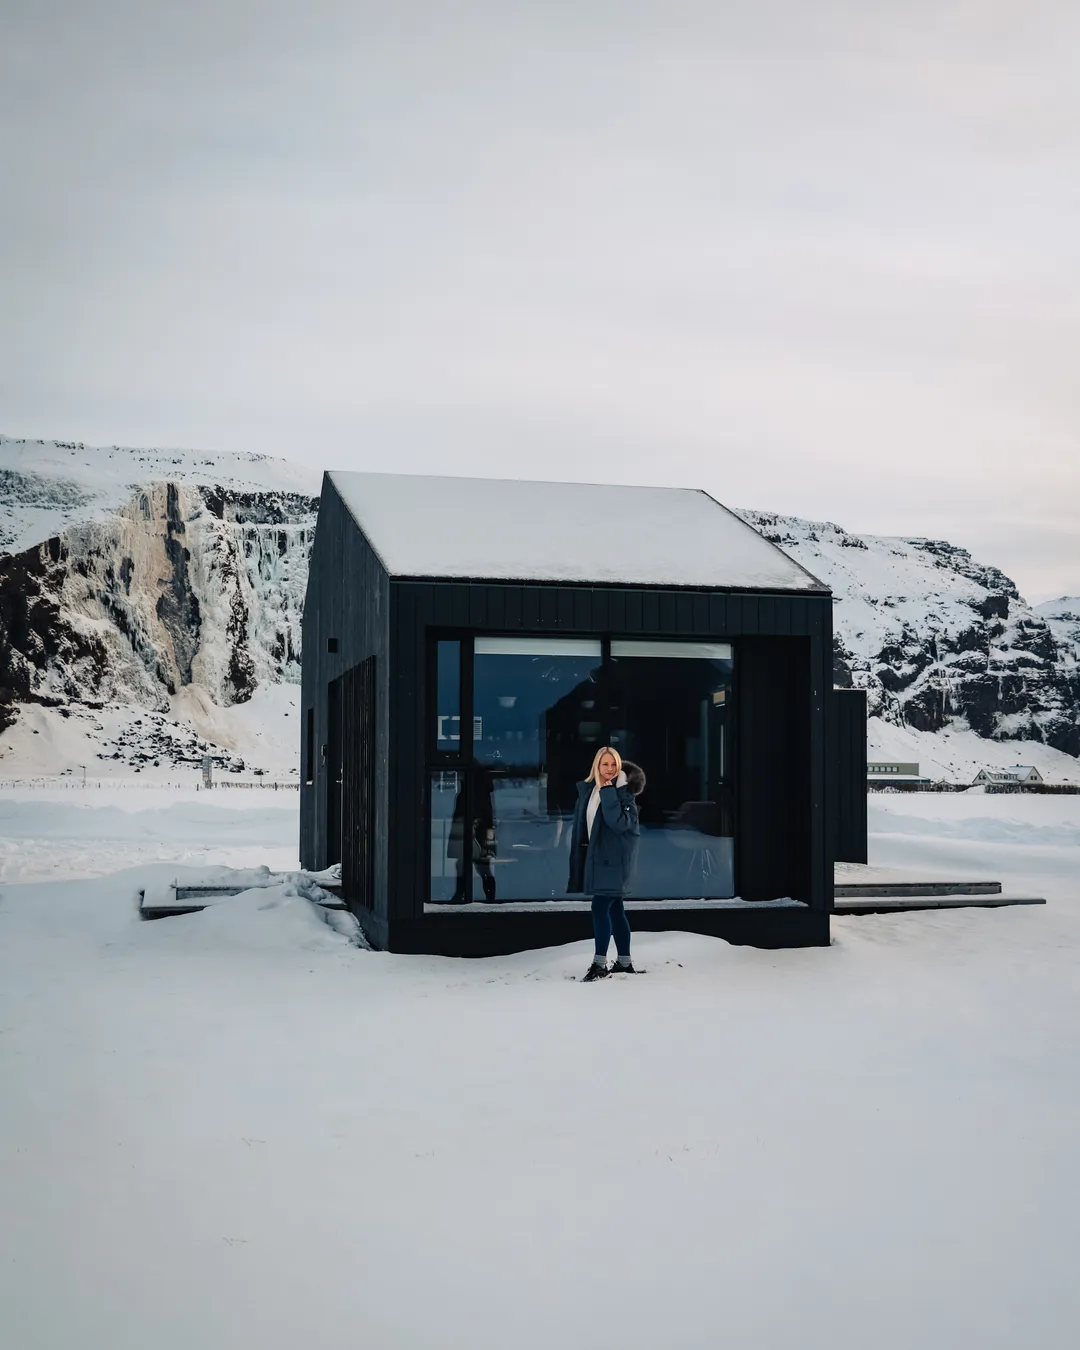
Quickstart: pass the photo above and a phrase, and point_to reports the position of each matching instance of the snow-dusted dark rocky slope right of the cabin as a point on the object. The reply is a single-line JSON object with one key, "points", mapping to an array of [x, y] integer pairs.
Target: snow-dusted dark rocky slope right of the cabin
{"points": [[938, 638]]}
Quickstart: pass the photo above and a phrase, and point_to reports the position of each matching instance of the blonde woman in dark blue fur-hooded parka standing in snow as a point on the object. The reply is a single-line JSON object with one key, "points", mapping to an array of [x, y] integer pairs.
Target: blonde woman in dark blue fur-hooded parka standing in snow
{"points": [[603, 853]]}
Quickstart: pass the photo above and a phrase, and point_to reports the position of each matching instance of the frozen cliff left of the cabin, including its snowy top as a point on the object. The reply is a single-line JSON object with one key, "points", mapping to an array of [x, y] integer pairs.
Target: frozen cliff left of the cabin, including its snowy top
{"points": [[155, 580]]}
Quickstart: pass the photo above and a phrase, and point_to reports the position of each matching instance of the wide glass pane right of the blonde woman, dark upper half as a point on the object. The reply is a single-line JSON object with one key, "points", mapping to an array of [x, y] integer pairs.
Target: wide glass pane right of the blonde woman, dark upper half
{"points": [[670, 709]]}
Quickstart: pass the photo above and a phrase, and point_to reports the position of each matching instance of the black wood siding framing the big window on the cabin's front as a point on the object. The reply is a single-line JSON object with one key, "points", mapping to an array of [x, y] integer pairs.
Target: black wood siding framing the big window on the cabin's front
{"points": [[784, 670]]}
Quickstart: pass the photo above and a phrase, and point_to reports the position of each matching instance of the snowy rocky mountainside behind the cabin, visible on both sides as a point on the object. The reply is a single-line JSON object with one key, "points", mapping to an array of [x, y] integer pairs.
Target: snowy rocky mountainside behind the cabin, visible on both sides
{"points": [[159, 592]]}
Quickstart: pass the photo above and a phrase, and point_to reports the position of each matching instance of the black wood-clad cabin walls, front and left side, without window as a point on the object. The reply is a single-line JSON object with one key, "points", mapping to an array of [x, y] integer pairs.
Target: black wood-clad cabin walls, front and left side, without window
{"points": [[785, 720]]}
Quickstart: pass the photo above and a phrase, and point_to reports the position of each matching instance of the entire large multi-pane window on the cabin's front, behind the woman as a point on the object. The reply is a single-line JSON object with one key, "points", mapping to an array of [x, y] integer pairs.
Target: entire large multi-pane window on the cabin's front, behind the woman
{"points": [[538, 709]]}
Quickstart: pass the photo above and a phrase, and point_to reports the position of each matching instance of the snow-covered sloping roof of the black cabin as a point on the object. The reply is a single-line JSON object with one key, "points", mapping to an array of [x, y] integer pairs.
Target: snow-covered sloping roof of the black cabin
{"points": [[511, 530]]}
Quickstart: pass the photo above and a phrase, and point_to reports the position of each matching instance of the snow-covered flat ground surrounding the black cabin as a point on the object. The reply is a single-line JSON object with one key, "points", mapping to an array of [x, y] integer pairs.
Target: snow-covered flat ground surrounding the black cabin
{"points": [[240, 1129]]}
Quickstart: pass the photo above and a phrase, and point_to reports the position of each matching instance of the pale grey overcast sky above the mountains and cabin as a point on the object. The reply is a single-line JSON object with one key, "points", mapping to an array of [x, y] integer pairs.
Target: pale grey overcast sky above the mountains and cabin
{"points": [[816, 257]]}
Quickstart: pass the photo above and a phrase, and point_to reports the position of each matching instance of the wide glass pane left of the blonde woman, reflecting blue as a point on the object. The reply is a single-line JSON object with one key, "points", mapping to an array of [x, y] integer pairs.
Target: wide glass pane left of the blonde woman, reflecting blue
{"points": [[537, 724]]}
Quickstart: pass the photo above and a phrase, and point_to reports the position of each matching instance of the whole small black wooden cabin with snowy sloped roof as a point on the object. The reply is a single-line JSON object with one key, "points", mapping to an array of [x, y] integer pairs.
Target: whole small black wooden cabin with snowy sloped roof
{"points": [[469, 645]]}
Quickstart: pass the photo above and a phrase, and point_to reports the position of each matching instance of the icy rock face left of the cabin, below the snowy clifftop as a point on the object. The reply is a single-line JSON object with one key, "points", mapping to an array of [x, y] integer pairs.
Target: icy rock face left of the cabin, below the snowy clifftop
{"points": [[182, 585]]}
